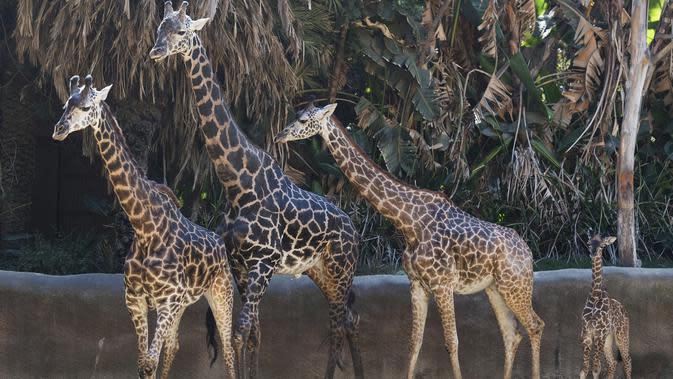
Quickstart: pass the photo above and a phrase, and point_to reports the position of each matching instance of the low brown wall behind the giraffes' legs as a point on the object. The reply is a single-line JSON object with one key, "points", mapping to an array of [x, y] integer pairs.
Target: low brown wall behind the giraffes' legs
{"points": [[78, 327]]}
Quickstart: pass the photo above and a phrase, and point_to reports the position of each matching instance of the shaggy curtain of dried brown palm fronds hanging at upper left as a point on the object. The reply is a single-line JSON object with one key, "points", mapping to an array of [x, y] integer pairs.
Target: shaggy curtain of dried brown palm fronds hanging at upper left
{"points": [[111, 40]]}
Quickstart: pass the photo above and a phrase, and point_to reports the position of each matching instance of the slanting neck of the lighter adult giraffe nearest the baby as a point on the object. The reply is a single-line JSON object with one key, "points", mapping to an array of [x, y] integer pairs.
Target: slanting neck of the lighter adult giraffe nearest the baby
{"points": [[388, 195]]}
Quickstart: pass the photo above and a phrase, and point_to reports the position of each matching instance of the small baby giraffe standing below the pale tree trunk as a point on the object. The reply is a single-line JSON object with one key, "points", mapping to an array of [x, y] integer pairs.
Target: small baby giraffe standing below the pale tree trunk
{"points": [[604, 320]]}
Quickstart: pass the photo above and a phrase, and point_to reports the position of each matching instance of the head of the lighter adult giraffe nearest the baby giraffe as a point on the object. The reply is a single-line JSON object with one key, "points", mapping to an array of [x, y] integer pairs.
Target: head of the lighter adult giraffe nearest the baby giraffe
{"points": [[310, 121]]}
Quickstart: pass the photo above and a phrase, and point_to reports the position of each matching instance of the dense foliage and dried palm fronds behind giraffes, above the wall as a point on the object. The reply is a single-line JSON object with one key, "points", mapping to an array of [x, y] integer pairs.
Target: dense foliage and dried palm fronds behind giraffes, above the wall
{"points": [[511, 107]]}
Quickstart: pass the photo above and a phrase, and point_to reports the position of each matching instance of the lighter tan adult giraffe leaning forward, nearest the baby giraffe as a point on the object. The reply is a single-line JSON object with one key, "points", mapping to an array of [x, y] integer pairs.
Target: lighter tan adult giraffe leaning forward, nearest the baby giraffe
{"points": [[448, 251]]}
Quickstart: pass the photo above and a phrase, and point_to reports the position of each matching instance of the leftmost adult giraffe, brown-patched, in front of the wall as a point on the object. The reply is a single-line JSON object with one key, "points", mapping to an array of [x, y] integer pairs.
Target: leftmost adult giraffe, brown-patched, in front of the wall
{"points": [[172, 262]]}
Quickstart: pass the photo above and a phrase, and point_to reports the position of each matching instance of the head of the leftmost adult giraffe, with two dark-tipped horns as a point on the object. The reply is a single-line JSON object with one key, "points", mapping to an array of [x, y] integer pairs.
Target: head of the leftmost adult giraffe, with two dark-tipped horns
{"points": [[82, 109]]}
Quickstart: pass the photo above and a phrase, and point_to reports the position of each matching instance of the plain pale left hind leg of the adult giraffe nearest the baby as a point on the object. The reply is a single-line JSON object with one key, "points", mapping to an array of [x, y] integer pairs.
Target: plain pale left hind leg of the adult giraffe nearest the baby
{"points": [[508, 327]]}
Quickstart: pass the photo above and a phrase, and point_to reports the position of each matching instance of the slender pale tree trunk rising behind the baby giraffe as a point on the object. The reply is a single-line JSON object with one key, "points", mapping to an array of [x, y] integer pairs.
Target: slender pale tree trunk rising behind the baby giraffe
{"points": [[639, 65]]}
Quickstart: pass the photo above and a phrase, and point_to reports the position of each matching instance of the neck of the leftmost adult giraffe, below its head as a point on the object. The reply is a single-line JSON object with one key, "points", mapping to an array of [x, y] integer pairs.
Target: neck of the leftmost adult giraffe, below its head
{"points": [[129, 183]]}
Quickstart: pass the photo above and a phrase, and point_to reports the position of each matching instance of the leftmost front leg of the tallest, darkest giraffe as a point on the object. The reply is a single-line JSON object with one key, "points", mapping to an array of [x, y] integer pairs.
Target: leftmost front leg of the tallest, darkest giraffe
{"points": [[257, 282]]}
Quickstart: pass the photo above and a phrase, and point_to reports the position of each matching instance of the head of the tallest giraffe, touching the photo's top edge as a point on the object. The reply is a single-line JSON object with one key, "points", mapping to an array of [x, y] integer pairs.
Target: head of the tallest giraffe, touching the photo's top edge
{"points": [[175, 33]]}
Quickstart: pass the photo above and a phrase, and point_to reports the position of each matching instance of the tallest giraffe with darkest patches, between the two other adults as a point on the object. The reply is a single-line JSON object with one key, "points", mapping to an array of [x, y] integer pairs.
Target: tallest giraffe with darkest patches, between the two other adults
{"points": [[272, 225]]}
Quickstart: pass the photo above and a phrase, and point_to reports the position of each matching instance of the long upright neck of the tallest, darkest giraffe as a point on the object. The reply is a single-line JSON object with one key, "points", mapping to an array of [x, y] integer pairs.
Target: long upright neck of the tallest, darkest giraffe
{"points": [[235, 158]]}
